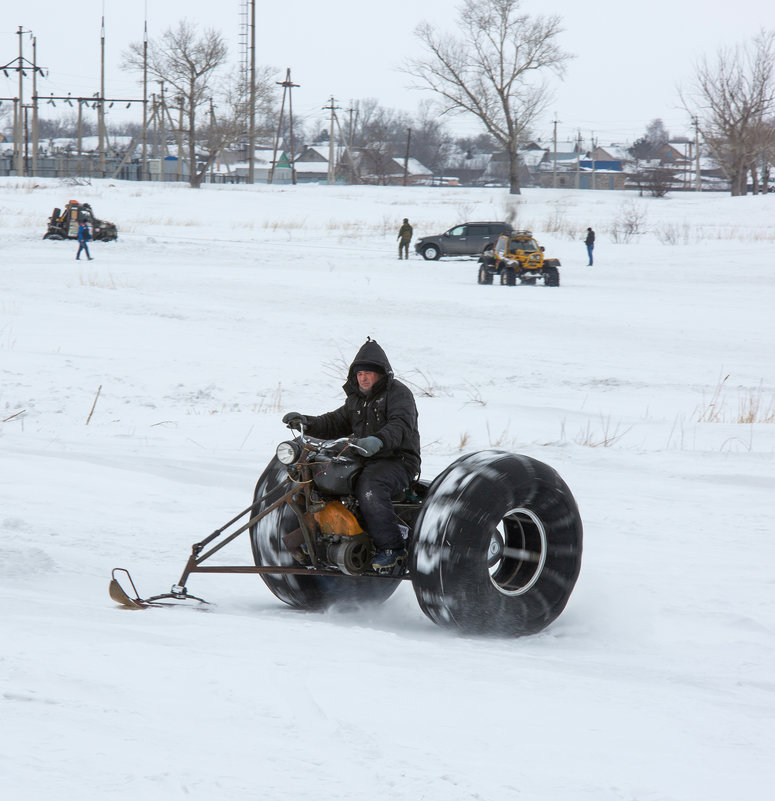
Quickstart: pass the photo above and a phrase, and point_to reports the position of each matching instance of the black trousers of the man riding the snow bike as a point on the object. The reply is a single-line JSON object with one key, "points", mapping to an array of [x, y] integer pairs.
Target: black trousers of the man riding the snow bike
{"points": [[379, 481]]}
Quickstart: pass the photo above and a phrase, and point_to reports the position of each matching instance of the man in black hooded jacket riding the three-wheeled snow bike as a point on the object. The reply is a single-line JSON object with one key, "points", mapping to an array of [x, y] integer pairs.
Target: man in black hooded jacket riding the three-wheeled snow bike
{"points": [[380, 412]]}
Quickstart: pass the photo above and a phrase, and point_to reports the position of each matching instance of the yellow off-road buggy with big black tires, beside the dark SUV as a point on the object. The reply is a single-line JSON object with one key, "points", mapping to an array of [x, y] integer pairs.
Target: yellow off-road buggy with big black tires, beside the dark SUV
{"points": [[517, 257]]}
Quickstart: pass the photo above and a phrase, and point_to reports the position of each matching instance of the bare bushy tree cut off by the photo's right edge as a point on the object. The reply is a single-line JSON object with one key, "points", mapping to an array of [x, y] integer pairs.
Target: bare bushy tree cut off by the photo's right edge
{"points": [[734, 95]]}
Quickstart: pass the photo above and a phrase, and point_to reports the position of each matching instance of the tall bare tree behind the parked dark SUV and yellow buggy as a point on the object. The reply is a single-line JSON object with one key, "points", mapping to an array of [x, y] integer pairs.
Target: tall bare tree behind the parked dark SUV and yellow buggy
{"points": [[488, 70]]}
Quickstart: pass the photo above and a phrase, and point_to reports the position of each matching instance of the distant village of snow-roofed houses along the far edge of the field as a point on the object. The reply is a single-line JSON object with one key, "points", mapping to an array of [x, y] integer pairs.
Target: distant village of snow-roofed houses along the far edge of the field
{"points": [[675, 166]]}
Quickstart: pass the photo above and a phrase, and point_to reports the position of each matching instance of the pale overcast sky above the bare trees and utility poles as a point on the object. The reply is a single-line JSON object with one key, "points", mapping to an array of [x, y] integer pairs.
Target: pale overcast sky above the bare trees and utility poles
{"points": [[629, 59]]}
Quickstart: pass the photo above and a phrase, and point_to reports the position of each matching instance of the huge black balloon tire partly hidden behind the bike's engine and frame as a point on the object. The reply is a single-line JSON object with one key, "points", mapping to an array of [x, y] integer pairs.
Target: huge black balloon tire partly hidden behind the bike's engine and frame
{"points": [[308, 592]]}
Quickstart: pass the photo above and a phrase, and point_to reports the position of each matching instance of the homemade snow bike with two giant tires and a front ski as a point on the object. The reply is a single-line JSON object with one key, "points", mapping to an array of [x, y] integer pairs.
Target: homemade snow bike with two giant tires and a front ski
{"points": [[494, 542]]}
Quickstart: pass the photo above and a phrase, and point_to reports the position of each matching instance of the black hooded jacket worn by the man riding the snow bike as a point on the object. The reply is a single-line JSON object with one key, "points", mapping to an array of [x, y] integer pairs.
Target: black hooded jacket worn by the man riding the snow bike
{"points": [[386, 411]]}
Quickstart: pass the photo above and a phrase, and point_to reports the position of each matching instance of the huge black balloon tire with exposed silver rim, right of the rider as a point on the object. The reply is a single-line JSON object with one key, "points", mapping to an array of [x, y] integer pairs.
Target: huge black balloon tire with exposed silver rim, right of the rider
{"points": [[497, 547]]}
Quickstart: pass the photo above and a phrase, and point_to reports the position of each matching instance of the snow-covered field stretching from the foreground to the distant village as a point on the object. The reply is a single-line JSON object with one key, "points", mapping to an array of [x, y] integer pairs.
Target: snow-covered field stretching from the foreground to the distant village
{"points": [[647, 381]]}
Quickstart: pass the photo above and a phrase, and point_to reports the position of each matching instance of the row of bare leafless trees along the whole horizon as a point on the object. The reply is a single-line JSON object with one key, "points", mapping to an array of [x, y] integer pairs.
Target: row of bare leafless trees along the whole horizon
{"points": [[491, 69]]}
